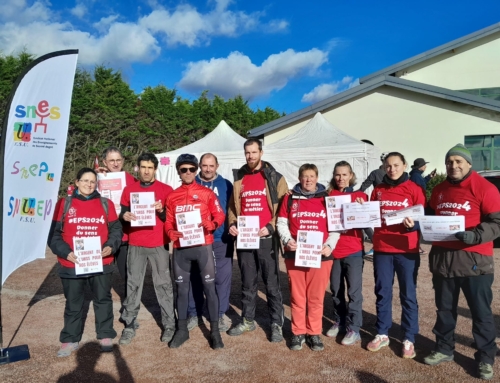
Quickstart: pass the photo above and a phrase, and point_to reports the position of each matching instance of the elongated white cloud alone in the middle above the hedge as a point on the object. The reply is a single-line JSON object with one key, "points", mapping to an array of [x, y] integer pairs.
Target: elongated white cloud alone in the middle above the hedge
{"points": [[236, 74]]}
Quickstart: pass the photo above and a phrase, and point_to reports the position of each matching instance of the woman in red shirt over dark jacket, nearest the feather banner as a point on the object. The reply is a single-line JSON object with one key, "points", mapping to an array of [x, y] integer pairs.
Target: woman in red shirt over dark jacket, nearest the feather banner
{"points": [[85, 216]]}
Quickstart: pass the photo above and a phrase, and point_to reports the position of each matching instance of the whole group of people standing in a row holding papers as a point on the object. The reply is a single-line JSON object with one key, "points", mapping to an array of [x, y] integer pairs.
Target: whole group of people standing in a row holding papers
{"points": [[203, 273]]}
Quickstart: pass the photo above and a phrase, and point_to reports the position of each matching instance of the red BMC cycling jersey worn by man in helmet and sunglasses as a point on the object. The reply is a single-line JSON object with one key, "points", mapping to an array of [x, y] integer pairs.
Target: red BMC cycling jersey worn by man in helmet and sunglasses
{"points": [[194, 197]]}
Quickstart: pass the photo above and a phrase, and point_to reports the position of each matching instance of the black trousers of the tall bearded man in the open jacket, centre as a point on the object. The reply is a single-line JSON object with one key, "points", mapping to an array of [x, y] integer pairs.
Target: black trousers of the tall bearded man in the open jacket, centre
{"points": [[250, 263]]}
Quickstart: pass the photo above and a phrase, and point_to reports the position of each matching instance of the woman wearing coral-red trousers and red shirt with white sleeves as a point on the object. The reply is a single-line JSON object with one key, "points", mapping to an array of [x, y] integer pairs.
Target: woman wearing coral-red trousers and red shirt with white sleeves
{"points": [[306, 211]]}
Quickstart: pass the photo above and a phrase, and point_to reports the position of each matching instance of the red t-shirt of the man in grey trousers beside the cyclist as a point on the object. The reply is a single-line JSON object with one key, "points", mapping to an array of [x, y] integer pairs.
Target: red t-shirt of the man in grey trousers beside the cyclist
{"points": [[147, 236]]}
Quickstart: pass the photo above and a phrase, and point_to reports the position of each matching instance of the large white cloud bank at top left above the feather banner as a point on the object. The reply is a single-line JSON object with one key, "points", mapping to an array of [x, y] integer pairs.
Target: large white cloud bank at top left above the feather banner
{"points": [[38, 29]]}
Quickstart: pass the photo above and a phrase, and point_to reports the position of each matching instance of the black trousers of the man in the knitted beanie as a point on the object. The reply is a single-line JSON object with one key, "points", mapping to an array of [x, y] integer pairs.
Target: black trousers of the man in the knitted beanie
{"points": [[478, 293]]}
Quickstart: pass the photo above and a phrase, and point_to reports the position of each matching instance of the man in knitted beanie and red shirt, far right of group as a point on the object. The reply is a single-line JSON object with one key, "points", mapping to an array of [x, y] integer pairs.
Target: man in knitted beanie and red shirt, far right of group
{"points": [[466, 264]]}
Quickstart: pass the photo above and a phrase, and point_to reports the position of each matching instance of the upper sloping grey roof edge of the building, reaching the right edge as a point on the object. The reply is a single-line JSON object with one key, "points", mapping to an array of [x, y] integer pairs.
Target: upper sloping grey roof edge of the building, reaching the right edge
{"points": [[391, 70]]}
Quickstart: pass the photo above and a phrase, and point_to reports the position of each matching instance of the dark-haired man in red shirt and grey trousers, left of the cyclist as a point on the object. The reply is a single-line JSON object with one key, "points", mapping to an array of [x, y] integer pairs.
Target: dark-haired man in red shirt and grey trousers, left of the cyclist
{"points": [[147, 243]]}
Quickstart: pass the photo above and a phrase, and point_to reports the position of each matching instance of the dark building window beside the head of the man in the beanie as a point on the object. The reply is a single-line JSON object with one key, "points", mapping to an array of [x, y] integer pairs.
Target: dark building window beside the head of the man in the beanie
{"points": [[485, 151]]}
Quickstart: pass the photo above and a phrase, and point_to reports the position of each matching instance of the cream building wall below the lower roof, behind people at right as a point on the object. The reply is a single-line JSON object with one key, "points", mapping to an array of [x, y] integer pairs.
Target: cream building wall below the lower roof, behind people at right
{"points": [[414, 124]]}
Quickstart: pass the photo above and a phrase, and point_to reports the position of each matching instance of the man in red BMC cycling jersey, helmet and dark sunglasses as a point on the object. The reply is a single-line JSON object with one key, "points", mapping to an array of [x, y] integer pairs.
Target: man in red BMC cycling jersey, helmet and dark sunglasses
{"points": [[193, 198]]}
